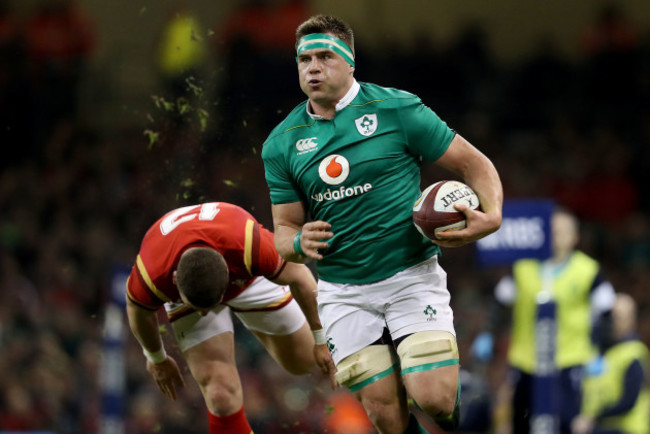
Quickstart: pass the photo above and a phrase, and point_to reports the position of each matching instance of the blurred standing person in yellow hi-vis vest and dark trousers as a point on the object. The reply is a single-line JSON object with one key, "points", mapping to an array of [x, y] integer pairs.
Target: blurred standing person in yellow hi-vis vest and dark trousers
{"points": [[580, 297]]}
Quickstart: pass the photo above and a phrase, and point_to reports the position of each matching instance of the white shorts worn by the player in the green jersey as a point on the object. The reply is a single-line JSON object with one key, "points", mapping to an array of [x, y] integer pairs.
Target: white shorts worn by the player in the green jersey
{"points": [[413, 300]]}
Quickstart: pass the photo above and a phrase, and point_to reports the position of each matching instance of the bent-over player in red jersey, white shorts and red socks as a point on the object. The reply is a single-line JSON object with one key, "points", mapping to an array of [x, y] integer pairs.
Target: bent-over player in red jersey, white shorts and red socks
{"points": [[201, 262]]}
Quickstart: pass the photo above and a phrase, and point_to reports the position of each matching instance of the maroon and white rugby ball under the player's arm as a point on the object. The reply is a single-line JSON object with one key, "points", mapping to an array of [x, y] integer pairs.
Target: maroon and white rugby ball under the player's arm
{"points": [[434, 210]]}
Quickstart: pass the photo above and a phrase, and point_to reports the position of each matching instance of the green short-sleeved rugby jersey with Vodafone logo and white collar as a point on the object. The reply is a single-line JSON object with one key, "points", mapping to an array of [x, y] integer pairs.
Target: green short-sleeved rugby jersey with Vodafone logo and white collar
{"points": [[360, 172]]}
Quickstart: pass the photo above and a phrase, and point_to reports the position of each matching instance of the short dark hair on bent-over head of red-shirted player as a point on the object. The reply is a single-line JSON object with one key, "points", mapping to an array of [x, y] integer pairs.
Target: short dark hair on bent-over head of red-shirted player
{"points": [[202, 276]]}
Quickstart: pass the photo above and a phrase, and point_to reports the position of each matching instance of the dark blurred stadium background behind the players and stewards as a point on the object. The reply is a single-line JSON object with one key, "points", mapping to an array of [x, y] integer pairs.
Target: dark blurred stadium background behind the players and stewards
{"points": [[99, 138]]}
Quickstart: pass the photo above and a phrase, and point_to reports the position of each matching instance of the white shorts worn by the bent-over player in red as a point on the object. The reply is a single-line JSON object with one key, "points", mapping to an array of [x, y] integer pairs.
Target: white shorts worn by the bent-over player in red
{"points": [[264, 307]]}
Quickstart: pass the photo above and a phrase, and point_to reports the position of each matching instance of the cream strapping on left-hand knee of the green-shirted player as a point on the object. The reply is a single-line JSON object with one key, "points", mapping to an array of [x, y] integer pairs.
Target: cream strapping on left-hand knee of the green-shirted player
{"points": [[366, 366]]}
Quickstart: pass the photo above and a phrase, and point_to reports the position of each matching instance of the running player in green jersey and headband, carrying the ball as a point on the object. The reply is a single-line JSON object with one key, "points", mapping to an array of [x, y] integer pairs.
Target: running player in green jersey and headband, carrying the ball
{"points": [[343, 170]]}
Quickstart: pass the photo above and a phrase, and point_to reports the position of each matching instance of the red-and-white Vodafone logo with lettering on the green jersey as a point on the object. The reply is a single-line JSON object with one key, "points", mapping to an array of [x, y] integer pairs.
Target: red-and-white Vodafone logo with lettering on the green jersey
{"points": [[334, 170]]}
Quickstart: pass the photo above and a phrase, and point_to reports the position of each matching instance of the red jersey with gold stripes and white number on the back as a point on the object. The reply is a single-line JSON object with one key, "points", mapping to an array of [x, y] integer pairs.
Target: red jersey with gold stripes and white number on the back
{"points": [[246, 246]]}
